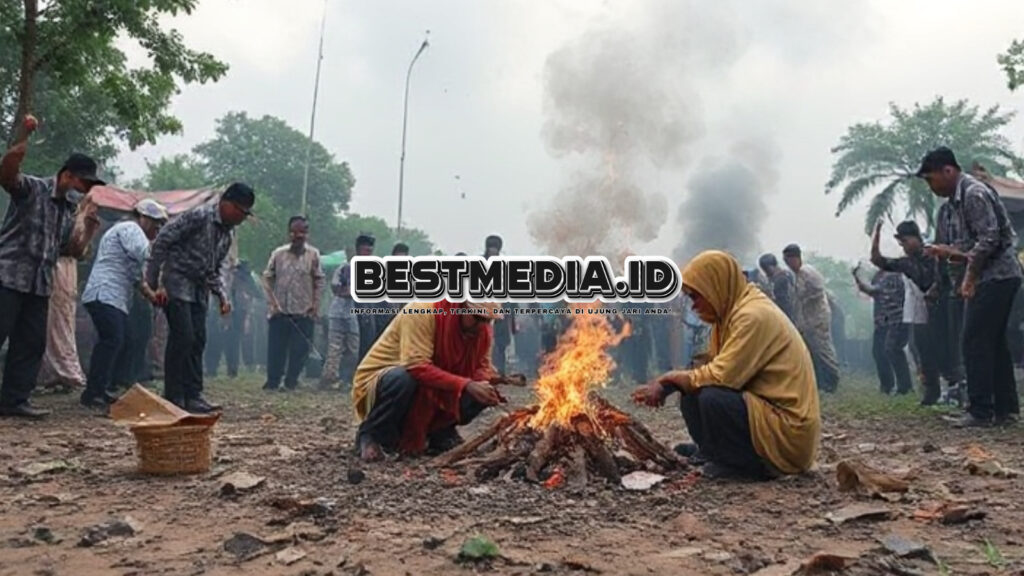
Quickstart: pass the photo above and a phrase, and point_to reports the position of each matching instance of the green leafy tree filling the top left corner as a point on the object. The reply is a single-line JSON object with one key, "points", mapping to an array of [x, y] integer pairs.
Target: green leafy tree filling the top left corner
{"points": [[61, 61]]}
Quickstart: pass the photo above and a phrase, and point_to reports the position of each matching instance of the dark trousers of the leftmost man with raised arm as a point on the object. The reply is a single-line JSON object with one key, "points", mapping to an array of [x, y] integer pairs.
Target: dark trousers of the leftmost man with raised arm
{"points": [[23, 326]]}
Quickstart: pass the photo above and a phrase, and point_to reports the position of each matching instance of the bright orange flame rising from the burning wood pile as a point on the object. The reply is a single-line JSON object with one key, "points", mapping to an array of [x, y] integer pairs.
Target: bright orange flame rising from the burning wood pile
{"points": [[579, 363]]}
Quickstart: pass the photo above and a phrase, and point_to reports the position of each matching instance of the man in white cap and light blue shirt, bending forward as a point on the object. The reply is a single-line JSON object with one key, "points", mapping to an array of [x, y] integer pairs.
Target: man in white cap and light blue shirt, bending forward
{"points": [[108, 296]]}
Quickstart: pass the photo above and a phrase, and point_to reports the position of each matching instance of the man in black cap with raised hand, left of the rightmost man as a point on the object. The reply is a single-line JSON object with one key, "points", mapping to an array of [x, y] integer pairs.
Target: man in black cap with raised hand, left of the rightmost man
{"points": [[920, 269]]}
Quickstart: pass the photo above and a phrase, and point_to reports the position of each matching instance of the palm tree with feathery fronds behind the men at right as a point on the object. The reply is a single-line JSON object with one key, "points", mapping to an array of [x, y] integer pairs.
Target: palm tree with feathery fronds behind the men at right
{"points": [[885, 157]]}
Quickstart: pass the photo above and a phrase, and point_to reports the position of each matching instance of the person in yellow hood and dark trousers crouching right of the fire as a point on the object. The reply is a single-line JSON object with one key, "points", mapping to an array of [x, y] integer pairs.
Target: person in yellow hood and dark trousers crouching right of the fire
{"points": [[753, 409]]}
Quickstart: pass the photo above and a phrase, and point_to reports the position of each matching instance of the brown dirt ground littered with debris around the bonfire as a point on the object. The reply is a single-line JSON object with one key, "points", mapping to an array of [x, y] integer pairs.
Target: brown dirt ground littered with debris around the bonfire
{"points": [[406, 518]]}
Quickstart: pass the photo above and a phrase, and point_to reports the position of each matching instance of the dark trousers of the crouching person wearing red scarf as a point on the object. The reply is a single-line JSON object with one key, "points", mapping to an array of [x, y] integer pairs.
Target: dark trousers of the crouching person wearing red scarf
{"points": [[396, 392]]}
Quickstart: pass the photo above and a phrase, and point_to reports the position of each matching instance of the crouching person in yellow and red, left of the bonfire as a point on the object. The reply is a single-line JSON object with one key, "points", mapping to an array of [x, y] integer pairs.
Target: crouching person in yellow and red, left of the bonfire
{"points": [[429, 373]]}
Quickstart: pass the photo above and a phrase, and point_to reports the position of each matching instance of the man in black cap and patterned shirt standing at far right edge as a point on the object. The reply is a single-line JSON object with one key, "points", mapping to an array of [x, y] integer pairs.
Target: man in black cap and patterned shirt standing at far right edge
{"points": [[979, 234]]}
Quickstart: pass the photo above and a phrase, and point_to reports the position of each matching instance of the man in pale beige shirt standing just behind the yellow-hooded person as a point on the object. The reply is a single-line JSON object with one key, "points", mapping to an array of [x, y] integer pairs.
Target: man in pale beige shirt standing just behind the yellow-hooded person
{"points": [[813, 316]]}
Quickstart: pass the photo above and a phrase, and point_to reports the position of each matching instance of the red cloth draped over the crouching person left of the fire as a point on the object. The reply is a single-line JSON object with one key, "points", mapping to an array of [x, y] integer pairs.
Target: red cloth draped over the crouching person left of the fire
{"points": [[457, 360]]}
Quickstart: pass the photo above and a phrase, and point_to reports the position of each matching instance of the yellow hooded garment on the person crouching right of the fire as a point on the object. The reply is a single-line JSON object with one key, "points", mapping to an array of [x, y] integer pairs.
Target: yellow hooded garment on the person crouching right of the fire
{"points": [[754, 348]]}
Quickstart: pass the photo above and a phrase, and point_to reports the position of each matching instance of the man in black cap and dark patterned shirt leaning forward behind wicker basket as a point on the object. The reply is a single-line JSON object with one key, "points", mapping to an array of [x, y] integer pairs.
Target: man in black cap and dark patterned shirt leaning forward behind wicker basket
{"points": [[188, 258]]}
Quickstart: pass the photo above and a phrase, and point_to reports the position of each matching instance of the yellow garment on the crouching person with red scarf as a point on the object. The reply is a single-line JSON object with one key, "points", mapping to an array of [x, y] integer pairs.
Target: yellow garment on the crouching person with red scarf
{"points": [[407, 342]]}
